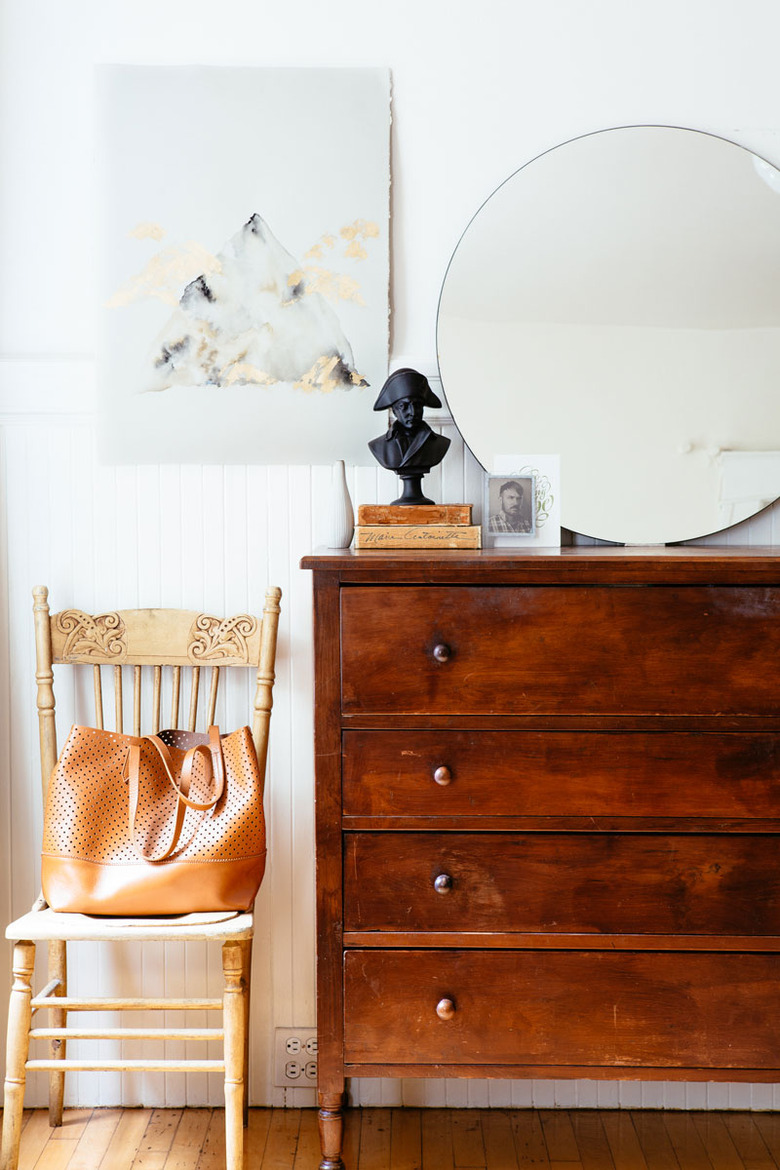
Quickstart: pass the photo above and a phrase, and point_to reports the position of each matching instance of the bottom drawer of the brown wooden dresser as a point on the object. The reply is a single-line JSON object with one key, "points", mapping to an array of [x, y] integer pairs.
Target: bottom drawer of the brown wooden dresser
{"points": [[576, 1008]]}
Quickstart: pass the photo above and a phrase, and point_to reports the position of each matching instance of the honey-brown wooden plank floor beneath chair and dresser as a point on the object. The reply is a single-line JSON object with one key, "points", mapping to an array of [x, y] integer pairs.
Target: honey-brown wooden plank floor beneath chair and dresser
{"points": [[409, 1140]]}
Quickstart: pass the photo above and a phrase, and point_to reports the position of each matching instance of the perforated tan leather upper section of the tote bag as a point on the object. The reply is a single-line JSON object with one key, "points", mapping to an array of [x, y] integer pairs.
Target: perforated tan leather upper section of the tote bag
{"points": [[87, 814]]}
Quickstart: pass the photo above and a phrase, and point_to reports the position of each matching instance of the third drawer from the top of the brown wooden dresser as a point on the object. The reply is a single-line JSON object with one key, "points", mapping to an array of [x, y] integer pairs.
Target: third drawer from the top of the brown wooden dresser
{"points": [[563, 883]]}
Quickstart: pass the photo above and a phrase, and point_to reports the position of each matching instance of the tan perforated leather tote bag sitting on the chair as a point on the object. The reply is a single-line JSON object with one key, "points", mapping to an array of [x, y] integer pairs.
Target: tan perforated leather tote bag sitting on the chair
{"points": [[167, 824]]}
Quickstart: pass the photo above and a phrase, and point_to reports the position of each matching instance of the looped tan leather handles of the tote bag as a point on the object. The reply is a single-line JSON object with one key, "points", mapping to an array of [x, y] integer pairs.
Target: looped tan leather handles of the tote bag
{"points": [[215, 763]]}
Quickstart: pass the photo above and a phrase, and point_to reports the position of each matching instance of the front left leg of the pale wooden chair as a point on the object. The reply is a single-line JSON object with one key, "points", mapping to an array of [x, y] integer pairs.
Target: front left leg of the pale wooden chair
{"points": [[20, 1015]]}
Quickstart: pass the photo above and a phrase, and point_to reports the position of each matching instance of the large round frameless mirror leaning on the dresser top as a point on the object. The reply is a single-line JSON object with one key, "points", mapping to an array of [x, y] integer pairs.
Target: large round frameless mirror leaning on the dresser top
{"points": [[617, 301]]}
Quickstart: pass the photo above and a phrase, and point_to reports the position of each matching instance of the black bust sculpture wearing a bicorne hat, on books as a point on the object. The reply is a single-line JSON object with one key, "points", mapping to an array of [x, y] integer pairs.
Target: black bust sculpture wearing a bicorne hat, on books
{"points": [[411, 448]]}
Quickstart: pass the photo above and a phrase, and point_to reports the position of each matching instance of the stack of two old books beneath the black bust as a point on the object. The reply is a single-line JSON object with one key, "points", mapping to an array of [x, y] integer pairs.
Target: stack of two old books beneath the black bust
{"points": [[411, 527]]}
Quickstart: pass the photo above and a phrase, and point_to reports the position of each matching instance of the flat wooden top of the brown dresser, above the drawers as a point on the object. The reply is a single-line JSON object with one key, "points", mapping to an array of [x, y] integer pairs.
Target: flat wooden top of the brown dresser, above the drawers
{"points": [[593, 565]]}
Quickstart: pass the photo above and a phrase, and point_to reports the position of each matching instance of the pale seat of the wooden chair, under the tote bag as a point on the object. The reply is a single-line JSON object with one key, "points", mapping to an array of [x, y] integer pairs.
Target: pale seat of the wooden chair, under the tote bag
{"points": [[51, 925]]}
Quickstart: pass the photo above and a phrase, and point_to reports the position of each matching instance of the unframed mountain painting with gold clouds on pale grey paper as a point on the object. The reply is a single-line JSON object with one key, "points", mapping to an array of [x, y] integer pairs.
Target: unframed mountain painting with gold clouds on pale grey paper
{"points": [[244, 304]]}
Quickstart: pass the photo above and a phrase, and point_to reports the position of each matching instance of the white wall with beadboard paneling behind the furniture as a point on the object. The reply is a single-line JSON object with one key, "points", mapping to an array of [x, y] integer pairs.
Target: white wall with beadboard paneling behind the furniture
{"points": [[479, 90]]}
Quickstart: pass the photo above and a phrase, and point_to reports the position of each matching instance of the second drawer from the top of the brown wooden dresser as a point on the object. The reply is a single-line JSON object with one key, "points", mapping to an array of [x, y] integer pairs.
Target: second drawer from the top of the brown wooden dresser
{"points": [[561, 774]]}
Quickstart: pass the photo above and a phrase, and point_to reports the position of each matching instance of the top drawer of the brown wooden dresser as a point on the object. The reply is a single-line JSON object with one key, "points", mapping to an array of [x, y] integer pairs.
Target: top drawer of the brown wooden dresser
{"points": [[551, 651]]}
